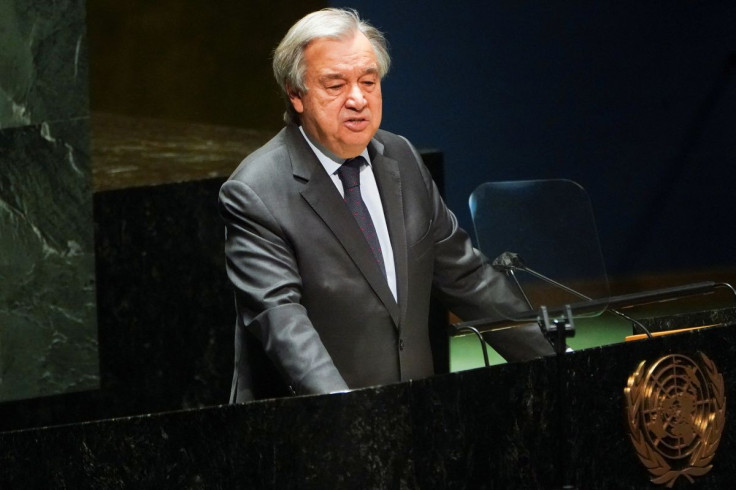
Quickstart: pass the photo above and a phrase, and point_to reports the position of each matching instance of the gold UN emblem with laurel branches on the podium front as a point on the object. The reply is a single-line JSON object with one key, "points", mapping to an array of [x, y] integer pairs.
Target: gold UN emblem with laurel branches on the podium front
{"points": [[676, 409]]}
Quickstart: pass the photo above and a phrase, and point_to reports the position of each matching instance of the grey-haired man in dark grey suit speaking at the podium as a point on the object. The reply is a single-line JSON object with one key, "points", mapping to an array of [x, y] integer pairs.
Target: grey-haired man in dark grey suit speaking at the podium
{"points": [[336, 234]]}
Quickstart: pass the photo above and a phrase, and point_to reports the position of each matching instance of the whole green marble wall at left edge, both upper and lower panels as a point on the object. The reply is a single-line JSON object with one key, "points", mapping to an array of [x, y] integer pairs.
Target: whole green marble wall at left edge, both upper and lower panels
{"points": [[48, 330]]}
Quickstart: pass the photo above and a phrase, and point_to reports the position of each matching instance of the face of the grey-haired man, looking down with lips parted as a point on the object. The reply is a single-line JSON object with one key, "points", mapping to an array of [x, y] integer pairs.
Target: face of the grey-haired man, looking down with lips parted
{"points": [[342, 106]]}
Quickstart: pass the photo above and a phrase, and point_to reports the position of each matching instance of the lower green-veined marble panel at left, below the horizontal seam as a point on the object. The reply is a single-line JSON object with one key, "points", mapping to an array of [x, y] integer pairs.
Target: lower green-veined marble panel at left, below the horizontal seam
{"points": [[48, 333]]}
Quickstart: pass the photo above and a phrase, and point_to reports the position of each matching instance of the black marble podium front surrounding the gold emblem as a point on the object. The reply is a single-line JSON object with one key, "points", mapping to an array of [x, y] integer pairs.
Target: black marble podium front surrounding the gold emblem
{"points": [[498, 427]]}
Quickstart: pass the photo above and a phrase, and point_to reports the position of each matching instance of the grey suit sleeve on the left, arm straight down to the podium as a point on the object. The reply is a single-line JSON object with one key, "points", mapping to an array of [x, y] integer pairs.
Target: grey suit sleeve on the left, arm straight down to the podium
{"points": [[263, 270]]}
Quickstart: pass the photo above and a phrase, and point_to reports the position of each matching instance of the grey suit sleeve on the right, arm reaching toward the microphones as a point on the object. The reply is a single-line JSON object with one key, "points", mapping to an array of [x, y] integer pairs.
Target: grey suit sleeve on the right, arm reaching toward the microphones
{"points": [[472, 289]]}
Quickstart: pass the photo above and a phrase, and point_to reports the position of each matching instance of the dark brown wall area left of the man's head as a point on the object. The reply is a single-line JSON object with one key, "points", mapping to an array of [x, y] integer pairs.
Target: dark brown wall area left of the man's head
{"points": [[192, 60]]}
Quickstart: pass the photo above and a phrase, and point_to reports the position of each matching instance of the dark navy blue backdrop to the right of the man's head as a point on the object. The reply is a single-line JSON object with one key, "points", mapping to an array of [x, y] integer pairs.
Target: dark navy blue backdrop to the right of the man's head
{"points": [[636, 101]]}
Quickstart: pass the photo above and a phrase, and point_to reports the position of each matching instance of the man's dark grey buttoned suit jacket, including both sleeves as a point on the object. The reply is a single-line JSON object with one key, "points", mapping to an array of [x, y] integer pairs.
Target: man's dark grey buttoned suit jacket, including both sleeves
{"points": [[313, 308]]}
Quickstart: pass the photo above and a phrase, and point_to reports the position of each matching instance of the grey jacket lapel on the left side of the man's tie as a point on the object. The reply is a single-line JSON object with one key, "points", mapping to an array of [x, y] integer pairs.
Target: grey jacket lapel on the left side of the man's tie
{"points": [[320, 193]]}
